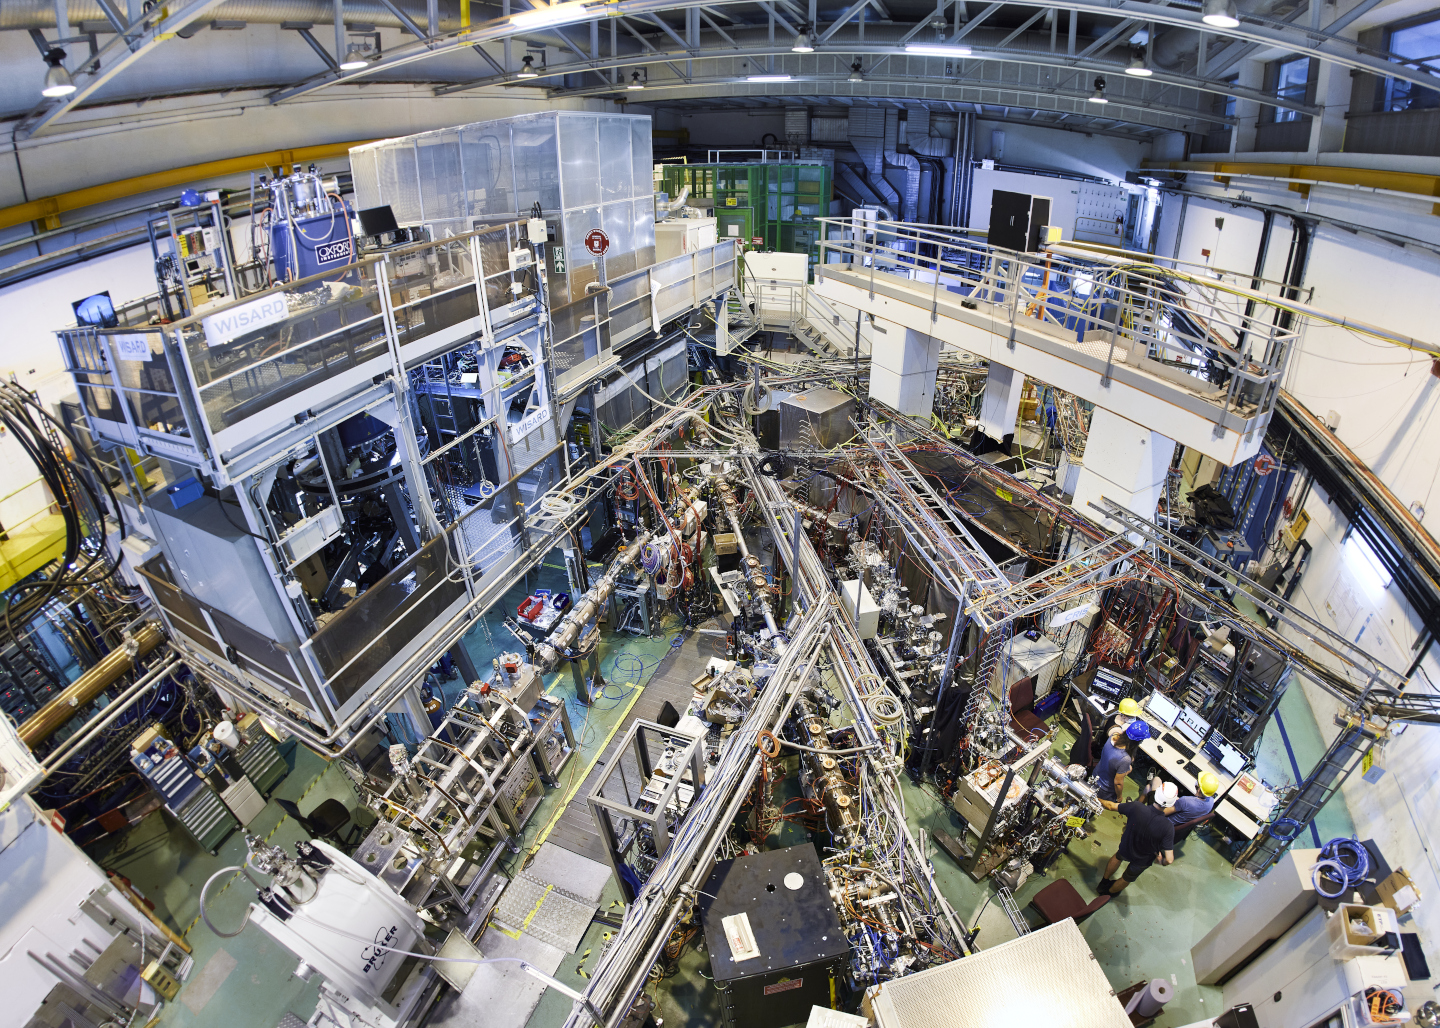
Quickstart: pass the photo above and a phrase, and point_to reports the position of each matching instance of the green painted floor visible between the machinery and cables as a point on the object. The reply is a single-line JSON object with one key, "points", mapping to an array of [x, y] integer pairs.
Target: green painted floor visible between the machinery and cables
{"points": [[1144, 934]]}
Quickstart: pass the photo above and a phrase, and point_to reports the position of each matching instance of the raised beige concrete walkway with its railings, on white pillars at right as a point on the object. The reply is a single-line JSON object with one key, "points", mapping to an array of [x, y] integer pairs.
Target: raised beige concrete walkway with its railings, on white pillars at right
{"points": [[1196, 359]]}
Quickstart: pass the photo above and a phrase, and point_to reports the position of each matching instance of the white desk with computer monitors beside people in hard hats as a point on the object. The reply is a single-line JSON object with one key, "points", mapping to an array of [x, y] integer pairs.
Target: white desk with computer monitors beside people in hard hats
{"points": [[1184, 747]]}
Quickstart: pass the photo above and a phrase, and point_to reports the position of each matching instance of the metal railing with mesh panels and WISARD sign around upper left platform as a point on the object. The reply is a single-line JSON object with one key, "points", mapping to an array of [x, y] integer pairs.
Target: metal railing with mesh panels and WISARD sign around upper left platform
{"points": [[197, 389]]}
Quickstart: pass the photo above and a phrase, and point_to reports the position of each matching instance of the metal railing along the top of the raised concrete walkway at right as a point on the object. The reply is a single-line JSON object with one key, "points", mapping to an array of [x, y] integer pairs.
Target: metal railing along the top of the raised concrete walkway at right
{"points": [[1213, 336]]}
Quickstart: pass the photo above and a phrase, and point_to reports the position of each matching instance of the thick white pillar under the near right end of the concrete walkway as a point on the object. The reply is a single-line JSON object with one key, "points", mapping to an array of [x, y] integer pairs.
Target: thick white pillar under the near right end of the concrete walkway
{"points": [[1124, 463]]}
